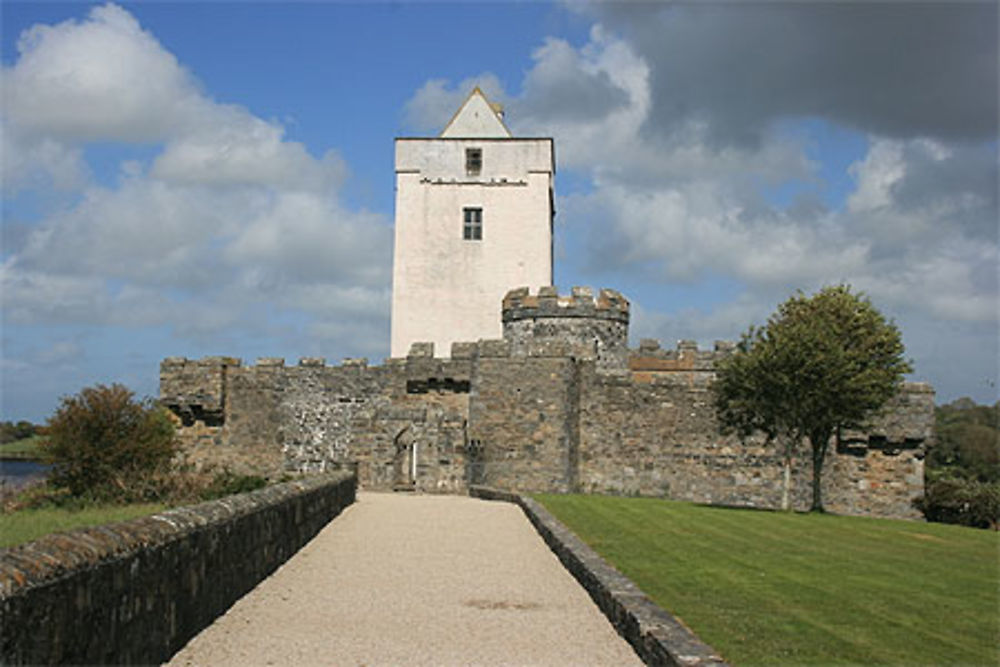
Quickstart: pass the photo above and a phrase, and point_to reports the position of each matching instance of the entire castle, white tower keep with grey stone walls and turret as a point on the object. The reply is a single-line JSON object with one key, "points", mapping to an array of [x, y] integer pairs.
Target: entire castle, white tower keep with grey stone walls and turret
{"points": [[546, 397]]}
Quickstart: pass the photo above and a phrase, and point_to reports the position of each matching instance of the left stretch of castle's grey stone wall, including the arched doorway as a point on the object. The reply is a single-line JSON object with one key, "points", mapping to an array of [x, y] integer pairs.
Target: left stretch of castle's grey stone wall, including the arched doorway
{"points": [[313, 418]]}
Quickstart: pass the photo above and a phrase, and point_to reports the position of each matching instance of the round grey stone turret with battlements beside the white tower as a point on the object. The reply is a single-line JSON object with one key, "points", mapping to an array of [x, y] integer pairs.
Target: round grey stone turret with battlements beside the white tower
{"points": [[578, 325]]}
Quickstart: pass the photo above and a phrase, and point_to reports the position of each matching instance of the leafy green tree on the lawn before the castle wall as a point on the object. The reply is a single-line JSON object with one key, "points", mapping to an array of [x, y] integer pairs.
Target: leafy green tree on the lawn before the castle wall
{"points": [[821, 364]]}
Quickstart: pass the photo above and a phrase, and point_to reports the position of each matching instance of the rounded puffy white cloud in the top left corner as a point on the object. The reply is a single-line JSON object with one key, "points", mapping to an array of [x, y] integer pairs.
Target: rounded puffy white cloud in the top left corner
{"points": [[103, 79]]}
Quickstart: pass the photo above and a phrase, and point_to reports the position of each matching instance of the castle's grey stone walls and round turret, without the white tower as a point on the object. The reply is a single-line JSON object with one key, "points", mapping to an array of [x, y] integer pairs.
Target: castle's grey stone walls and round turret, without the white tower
{"points": [[560, 404]]}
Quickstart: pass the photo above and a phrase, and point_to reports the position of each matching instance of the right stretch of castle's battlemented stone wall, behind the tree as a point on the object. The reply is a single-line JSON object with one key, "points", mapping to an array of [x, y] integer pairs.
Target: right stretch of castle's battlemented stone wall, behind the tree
{"points": [[654, 432]]}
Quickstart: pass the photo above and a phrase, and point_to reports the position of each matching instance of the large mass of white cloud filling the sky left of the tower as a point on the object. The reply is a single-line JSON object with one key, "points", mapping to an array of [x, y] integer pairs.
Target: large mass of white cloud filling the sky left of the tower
{"points": [[225, 221]]}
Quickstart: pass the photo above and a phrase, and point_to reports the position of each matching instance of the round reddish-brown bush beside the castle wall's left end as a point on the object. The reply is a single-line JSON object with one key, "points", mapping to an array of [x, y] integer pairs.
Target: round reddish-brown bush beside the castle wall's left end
{"points": [[106, 445]]}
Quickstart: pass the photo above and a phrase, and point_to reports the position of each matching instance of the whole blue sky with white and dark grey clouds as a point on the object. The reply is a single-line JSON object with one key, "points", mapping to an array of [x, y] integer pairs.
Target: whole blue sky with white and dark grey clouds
{"points": [[194, 179]]}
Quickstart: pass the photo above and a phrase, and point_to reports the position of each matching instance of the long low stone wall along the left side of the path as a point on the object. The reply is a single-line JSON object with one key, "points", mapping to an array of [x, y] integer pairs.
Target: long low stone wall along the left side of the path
{"points": [[136, 592]]}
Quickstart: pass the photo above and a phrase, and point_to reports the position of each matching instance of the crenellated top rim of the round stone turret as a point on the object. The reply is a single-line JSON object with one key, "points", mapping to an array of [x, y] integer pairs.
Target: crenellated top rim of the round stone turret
{"points": [[520, 304]]}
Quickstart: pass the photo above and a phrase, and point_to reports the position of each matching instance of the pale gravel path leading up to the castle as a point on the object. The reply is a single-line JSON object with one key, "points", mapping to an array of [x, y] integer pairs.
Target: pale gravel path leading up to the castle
{"points": [[416, 580]]}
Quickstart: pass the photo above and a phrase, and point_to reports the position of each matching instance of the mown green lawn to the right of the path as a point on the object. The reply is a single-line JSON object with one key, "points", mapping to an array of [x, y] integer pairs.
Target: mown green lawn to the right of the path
{"points": [[768, 587]]}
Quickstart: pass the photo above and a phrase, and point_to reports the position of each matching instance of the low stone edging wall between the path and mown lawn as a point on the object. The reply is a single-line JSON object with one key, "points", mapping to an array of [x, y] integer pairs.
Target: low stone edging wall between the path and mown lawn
{"points": [[657, 637]]}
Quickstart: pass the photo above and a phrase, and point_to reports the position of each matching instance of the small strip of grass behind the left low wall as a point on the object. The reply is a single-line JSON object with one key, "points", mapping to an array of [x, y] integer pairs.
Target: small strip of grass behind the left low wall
{"points": [[30, 524]]}
